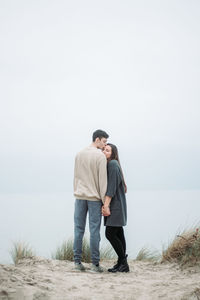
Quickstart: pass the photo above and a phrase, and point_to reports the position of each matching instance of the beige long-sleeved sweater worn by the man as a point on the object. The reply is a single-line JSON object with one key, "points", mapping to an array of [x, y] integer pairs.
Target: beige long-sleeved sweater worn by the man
{"points": [[90, 174]]}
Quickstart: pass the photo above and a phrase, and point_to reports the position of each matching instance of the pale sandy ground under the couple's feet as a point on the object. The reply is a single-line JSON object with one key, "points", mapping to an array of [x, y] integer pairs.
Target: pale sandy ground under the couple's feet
{"points": [[43, 279]]}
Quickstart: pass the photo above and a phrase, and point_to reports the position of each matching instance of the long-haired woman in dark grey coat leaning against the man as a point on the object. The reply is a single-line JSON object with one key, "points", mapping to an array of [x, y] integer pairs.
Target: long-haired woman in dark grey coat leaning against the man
{"points": [[114, 208]]}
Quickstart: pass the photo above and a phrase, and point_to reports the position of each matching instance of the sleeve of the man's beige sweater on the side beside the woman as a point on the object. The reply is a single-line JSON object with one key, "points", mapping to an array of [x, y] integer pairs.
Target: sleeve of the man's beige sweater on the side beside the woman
{"points": [[102, 176]]}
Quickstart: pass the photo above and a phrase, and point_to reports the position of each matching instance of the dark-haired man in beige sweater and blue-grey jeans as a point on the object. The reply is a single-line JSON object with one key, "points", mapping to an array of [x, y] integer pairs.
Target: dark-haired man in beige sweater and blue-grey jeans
{"points": [[90, 184]]}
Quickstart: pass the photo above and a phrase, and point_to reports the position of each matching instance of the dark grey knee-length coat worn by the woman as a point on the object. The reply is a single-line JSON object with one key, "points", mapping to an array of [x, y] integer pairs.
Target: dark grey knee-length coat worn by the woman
{"points": [[115, 189]]}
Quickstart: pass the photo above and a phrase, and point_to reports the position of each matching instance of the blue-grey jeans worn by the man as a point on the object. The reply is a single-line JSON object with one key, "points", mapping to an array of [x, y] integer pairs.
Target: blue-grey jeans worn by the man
{"points": [[80, 214]]}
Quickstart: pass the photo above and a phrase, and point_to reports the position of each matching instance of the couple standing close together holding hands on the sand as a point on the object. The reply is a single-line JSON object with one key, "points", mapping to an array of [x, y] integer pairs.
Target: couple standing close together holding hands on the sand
{"points": [[99, 189]]}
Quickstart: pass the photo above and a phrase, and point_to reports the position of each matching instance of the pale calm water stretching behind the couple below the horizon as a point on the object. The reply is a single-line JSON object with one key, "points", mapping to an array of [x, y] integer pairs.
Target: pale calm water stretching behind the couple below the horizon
{"points": [[44, 221]]}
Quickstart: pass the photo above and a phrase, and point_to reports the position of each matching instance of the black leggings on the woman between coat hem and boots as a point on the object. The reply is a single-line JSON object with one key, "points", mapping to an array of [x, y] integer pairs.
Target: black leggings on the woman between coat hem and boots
{"points": [[115, 235]]}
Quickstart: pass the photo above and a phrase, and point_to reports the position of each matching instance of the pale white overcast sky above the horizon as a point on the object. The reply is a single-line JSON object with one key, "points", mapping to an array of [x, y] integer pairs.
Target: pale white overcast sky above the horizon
{"points": [[131, 68]]}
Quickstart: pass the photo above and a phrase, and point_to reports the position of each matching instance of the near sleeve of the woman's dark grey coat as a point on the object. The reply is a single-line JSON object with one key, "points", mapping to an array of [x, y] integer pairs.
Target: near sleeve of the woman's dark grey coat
{"points": [[114, 179]]}
